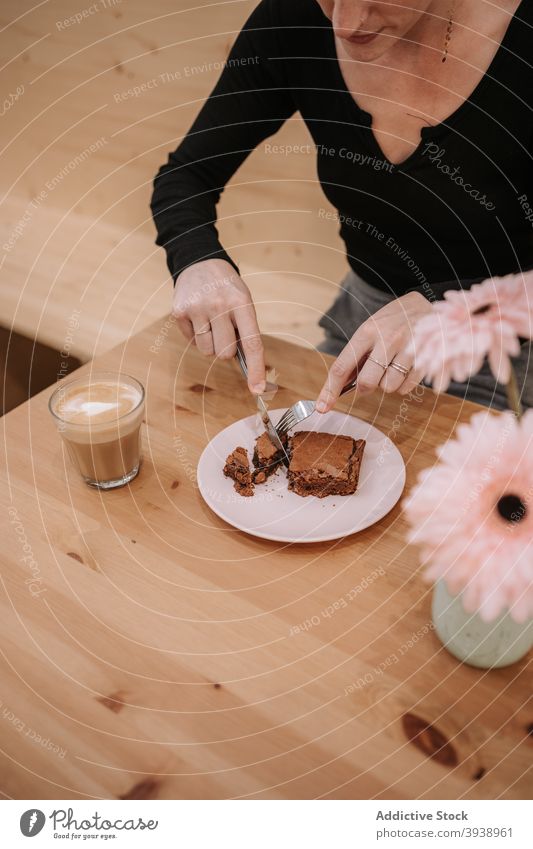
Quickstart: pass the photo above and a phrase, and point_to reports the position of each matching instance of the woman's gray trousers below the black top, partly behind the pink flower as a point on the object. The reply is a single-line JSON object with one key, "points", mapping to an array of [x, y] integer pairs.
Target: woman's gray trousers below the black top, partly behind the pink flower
{"points": [[358, 300]]}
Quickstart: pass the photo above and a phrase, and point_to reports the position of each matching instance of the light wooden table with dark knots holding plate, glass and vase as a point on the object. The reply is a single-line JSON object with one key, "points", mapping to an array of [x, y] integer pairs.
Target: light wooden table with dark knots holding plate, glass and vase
{"points": [[148, 650]]}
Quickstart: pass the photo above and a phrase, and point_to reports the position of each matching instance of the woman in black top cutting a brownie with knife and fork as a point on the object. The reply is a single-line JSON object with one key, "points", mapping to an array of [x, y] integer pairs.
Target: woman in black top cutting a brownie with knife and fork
{"points": [[421, 113]]}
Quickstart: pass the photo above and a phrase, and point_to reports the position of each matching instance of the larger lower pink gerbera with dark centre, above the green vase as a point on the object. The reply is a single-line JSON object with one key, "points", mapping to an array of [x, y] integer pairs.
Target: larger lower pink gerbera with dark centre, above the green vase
{"points": [[472, 515]]}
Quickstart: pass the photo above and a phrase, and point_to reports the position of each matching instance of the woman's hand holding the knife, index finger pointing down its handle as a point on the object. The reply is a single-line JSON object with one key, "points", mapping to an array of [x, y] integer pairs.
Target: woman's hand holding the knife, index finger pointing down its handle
{"points": [[210, 303]]}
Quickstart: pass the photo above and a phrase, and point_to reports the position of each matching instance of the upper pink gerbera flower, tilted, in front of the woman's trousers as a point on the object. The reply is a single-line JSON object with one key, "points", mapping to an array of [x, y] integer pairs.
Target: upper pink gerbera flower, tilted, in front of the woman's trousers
{"points": [[487, 320]]}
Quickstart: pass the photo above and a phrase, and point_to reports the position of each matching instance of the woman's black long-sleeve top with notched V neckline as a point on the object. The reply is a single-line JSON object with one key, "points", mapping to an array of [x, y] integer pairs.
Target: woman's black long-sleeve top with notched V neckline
{"points": [[459, 208]]}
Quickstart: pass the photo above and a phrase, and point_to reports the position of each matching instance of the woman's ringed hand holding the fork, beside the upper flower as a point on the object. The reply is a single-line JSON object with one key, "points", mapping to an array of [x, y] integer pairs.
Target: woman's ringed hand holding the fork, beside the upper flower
{"points": [[378, 343]]}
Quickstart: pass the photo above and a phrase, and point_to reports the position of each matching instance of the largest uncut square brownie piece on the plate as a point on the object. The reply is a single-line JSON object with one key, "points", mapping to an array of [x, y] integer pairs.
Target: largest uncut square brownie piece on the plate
{"points": [[323, 464]]}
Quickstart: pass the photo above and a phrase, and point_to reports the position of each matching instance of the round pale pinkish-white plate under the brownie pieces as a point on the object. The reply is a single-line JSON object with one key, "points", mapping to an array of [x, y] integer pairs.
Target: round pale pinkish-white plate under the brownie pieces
{"points": [[275, 513]]}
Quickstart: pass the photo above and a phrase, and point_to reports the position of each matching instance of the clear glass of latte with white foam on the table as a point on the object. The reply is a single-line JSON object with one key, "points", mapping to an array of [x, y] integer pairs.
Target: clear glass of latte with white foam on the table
{"points": [[99, 418]]}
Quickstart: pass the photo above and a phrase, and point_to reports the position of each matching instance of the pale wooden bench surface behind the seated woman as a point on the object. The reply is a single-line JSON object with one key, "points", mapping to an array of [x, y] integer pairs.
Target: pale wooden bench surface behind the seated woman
{"points": [[103, 103]]}
